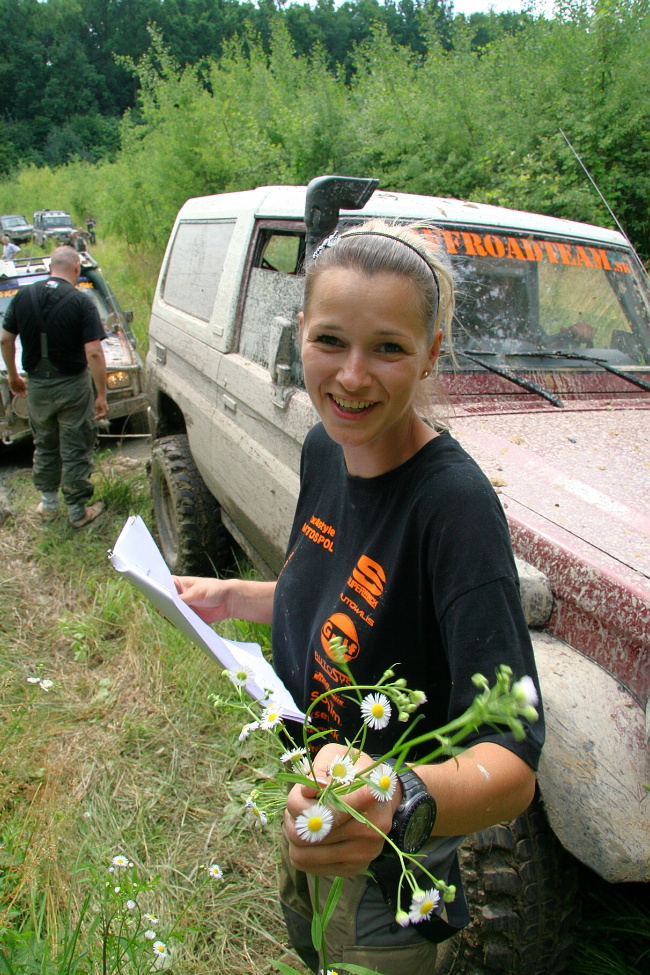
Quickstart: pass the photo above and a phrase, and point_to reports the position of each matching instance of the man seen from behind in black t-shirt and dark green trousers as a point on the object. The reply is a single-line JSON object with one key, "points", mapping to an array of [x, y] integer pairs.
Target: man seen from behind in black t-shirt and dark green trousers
{"points": [[61, 335]]}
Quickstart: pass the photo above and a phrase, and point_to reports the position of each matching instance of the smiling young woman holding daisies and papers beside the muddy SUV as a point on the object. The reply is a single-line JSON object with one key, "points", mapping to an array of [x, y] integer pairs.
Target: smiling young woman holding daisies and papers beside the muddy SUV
{"points": [[418, 571]]}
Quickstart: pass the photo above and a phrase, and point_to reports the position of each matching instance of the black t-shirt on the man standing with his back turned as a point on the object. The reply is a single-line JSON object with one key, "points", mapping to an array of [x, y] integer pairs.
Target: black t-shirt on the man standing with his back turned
{"points": [[68, 329]]}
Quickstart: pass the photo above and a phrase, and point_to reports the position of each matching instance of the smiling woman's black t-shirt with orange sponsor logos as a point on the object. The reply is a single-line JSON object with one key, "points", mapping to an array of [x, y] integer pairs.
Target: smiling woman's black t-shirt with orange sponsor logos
{"points": [[413, 568]]}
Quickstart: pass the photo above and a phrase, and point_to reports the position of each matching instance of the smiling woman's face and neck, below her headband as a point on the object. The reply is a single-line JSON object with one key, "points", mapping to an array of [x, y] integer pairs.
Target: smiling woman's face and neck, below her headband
{"points": [[365, 351]]}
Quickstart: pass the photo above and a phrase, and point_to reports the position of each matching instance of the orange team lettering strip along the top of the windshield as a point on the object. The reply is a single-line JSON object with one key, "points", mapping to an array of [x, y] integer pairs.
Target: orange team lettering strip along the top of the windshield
{"points": [[475, 244]]}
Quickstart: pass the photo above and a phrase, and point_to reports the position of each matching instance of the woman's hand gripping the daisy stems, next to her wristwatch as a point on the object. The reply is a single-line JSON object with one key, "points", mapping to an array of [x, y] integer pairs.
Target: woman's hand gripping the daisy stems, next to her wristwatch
{"points": [[350, 846]]}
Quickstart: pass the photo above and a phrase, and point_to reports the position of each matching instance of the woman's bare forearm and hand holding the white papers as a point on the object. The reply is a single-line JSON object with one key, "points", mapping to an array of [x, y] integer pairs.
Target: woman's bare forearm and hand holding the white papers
{"points": [[220, 599]]}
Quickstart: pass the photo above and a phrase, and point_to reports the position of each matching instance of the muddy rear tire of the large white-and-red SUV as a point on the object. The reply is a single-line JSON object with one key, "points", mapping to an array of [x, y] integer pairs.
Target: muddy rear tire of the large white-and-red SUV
{"points": [[193, 541]]}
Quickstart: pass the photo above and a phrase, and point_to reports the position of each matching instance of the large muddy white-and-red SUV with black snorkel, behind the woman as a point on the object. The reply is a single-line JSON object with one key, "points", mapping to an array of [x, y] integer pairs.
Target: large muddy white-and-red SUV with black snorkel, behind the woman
{"points": [[551, 395]]}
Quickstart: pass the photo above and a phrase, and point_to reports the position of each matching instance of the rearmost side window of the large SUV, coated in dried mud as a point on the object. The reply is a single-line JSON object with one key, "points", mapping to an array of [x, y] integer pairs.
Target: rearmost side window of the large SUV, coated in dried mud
{"points": [[195, 265]]}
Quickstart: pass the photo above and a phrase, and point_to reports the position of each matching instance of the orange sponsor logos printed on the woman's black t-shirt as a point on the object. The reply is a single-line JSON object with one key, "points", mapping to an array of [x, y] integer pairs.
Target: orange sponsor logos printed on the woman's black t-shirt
{"points": [[360, 597]]}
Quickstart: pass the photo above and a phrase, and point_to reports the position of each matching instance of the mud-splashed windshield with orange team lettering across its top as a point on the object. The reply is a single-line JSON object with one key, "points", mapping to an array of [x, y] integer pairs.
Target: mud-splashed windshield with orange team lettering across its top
{"points": [[519, 295]]}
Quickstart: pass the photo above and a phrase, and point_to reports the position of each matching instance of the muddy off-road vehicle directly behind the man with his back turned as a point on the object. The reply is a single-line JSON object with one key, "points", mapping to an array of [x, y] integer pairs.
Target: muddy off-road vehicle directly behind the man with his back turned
{"points": [[126, 397]]}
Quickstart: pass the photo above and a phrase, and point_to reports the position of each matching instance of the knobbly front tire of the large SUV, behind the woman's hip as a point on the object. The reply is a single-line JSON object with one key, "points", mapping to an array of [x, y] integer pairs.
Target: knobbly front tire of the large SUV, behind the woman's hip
{"points": [[522, 892]]}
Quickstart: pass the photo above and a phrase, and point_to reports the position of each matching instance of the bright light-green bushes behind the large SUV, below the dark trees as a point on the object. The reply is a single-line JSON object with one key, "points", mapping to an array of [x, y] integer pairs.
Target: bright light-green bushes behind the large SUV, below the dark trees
{"points": [[483, 123]]}
